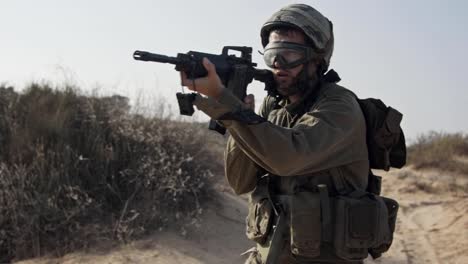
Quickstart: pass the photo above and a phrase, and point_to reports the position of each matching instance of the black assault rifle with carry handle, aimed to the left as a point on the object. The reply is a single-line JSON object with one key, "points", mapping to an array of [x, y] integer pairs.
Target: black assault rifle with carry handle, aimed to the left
{"points": [[235, 72]]}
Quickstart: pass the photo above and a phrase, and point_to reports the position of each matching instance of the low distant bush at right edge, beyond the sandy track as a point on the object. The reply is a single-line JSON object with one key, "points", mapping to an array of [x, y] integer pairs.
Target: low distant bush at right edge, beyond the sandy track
{"points": [[442, 151]]}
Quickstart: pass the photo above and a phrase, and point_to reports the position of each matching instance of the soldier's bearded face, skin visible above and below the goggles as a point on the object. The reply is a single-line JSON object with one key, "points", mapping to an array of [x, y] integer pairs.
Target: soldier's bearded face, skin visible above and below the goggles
{"points": [[285, 78]]}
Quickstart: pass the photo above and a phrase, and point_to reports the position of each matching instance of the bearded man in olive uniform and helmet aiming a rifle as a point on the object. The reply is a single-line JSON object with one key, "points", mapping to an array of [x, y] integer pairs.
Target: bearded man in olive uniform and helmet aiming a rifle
{"points": [[307, 143]]}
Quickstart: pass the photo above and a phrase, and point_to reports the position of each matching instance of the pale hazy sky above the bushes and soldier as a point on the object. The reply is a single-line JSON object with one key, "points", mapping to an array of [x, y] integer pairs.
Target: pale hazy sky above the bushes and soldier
{"points": [[410, 54]]}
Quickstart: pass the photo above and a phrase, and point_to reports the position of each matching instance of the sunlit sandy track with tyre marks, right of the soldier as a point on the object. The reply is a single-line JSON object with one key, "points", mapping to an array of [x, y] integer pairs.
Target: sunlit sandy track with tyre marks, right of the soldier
{"points": [[432, 224]]}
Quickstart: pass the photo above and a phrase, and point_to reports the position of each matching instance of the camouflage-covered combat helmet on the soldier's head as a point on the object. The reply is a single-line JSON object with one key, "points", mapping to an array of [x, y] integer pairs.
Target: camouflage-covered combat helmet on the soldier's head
{"points": [[315, 26]]}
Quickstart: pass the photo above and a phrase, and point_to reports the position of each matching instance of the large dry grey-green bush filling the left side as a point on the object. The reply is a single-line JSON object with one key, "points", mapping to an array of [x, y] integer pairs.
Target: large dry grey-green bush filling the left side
{"points": [[76, 170]]}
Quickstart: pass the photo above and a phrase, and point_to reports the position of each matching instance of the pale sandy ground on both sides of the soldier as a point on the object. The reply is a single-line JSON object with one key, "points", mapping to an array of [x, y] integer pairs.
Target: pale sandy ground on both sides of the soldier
{"points": [[432, 227]]}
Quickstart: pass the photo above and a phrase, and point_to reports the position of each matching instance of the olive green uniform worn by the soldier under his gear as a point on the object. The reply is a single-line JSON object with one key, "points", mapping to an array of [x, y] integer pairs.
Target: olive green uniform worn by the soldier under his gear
{"points": [[317, 141]]}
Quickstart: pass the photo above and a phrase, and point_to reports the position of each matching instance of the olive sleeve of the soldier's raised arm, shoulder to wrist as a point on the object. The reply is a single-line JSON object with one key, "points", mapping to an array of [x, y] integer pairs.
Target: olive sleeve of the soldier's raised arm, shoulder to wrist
{"points": [[331, 135]]}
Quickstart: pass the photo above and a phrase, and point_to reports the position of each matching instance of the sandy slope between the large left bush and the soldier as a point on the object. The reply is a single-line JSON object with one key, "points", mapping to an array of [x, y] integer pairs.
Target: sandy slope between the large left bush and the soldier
{"points": [[220, 240]]}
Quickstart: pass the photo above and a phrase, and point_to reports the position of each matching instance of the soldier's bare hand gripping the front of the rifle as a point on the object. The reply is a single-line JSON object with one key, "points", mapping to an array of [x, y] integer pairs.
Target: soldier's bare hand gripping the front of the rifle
{"points": [[209, 85]]}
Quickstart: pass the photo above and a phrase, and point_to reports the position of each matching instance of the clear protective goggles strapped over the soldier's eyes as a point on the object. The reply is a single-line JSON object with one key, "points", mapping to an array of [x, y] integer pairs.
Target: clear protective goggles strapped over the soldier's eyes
{"points": [[287, 54]]}
